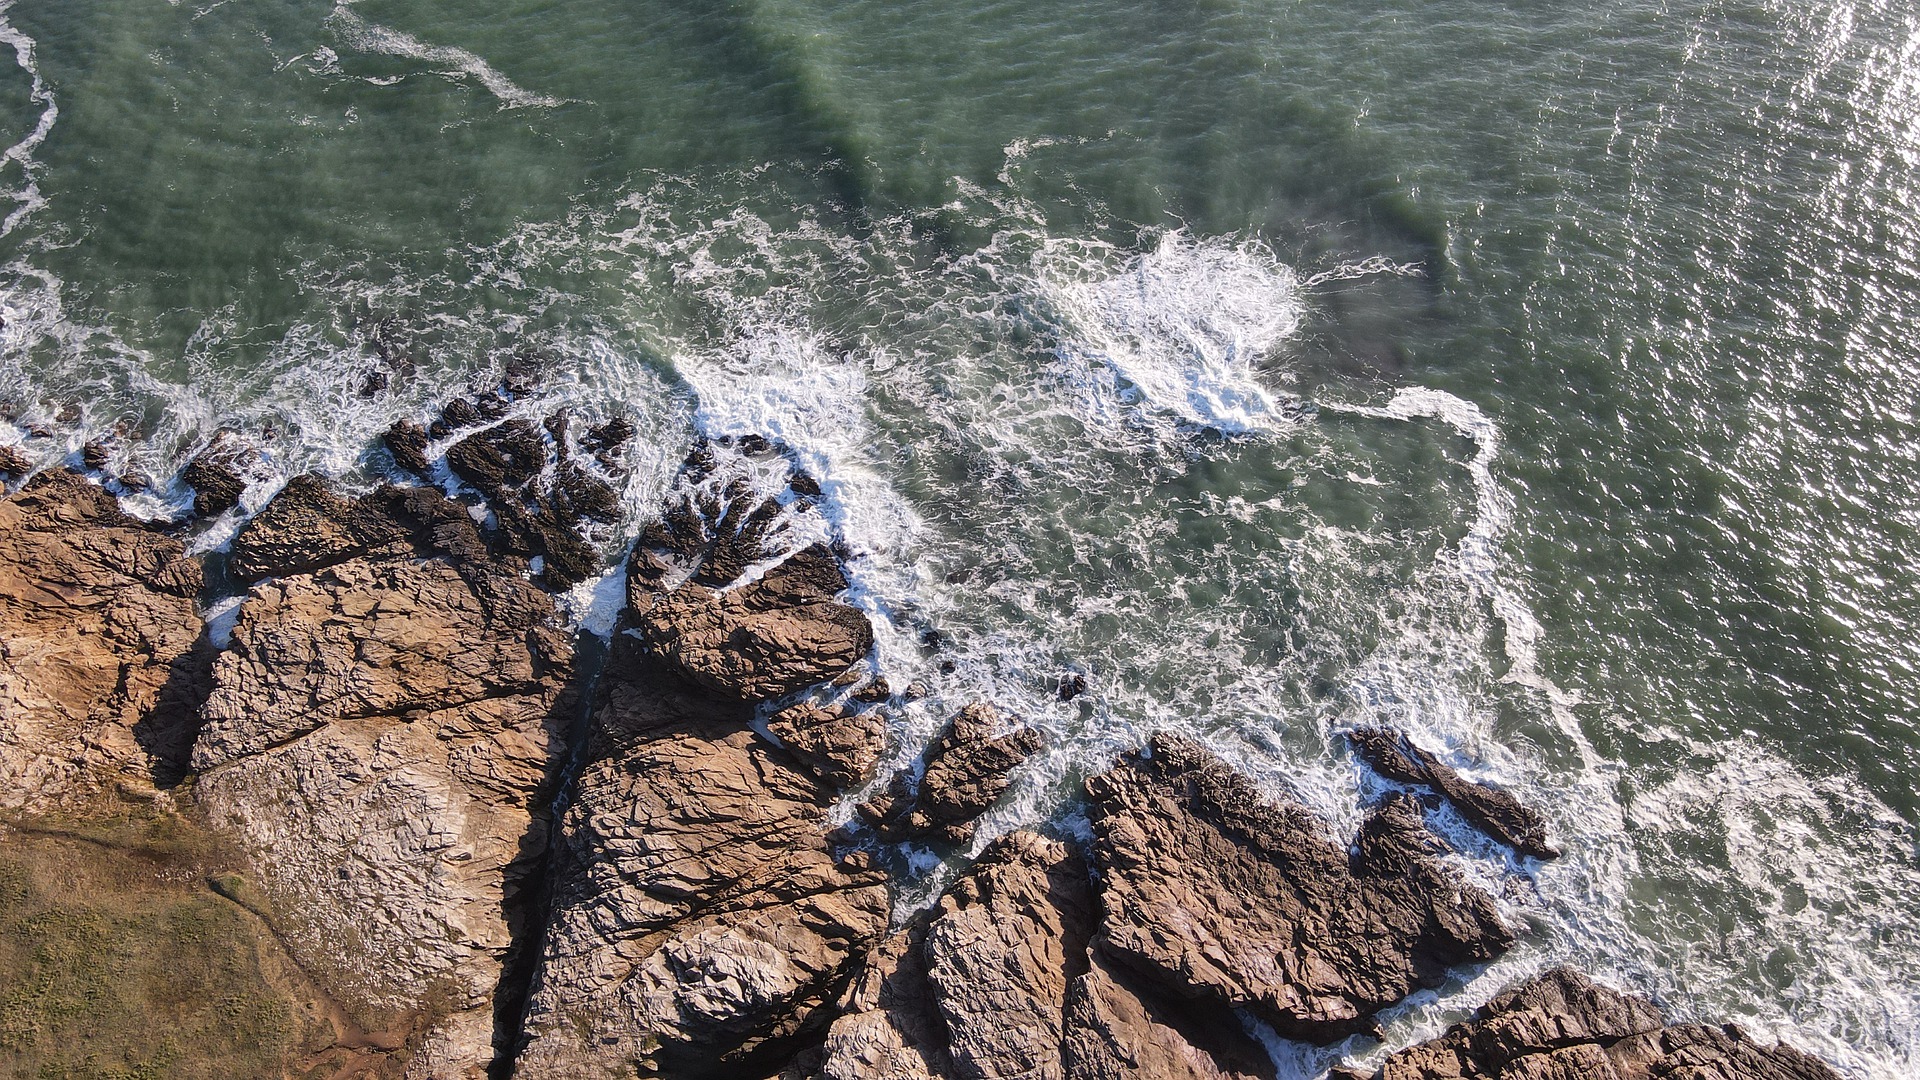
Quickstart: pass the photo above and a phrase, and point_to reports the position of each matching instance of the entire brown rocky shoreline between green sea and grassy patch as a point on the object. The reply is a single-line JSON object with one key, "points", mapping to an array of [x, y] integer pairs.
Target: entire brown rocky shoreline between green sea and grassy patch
{"points": [[502, 850]]}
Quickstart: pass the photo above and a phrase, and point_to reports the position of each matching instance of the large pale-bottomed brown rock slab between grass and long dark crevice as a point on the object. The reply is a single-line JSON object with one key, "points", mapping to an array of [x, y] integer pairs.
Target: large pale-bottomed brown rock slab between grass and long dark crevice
{"points": [[381, 741]]}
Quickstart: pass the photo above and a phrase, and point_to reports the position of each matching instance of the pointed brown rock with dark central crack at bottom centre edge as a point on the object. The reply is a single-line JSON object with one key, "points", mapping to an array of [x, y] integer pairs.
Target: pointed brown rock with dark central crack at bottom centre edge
{"points": [[999, 983]]}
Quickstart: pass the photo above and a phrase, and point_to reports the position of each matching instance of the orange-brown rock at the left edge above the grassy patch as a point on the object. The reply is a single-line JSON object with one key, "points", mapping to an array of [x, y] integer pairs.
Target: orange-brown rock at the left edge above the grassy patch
{"points": [[99, 647]]}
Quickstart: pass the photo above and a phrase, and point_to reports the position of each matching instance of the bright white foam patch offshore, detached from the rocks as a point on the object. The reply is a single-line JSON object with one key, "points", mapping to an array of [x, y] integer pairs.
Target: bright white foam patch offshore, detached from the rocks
{"points": [[1186, 326]]}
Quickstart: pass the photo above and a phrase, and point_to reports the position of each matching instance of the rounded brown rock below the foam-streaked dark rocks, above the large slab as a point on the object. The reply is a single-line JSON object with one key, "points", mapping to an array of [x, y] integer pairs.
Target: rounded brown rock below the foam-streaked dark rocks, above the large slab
{"points": [[761, 641]]}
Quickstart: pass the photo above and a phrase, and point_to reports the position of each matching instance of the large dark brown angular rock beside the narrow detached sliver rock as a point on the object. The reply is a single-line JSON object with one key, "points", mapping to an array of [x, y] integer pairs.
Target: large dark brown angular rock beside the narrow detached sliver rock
{"points": [[1212, 893]]}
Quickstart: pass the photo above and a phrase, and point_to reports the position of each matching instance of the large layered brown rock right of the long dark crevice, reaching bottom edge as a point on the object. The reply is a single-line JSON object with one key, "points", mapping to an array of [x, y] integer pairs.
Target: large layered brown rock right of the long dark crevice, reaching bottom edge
{"points": [[700, 921]]}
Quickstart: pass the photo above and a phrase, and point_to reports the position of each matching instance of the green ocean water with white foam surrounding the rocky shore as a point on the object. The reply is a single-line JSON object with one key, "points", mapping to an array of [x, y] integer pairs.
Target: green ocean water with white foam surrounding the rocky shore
{"points": [[1535, 378]]}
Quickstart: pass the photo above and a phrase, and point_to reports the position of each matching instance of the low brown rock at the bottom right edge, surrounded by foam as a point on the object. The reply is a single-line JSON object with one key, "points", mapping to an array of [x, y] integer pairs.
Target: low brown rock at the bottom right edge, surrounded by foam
{"points": [[1564, 1027]]}
